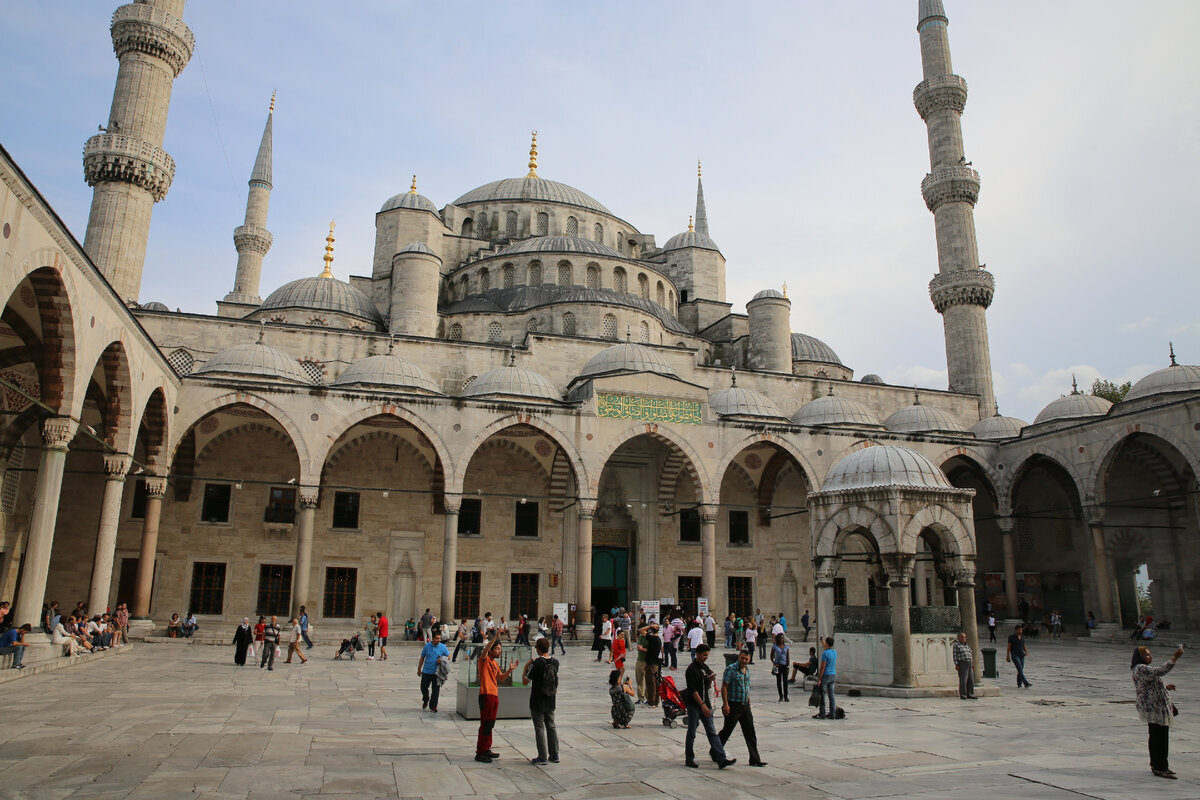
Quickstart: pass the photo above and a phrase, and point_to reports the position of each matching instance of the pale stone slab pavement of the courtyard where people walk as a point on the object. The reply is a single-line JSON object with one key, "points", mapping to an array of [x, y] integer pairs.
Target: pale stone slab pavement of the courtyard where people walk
{"points": [[175, 721]]}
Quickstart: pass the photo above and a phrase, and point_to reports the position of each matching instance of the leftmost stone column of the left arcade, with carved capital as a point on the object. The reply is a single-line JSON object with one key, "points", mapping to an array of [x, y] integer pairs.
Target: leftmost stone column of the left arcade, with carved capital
{"points": [[57, 435]]}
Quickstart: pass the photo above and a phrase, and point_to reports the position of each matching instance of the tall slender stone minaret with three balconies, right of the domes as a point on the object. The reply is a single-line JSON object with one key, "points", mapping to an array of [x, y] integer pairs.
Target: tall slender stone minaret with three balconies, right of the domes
{"points": [[963, 290]]}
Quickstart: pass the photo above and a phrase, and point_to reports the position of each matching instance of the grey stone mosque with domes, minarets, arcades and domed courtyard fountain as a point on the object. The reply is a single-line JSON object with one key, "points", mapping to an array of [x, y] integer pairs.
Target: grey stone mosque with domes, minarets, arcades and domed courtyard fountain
{"points": [[525, 401]]}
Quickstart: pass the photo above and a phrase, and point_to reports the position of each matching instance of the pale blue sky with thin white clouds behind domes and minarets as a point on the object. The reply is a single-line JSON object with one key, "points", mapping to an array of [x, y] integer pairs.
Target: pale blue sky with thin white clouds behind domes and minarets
{"points": [[1083, 119]]}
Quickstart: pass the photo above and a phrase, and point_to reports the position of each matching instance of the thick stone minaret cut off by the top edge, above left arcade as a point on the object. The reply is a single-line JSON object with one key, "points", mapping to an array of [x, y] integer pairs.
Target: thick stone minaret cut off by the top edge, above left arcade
{"points": [[125, 164]]}
